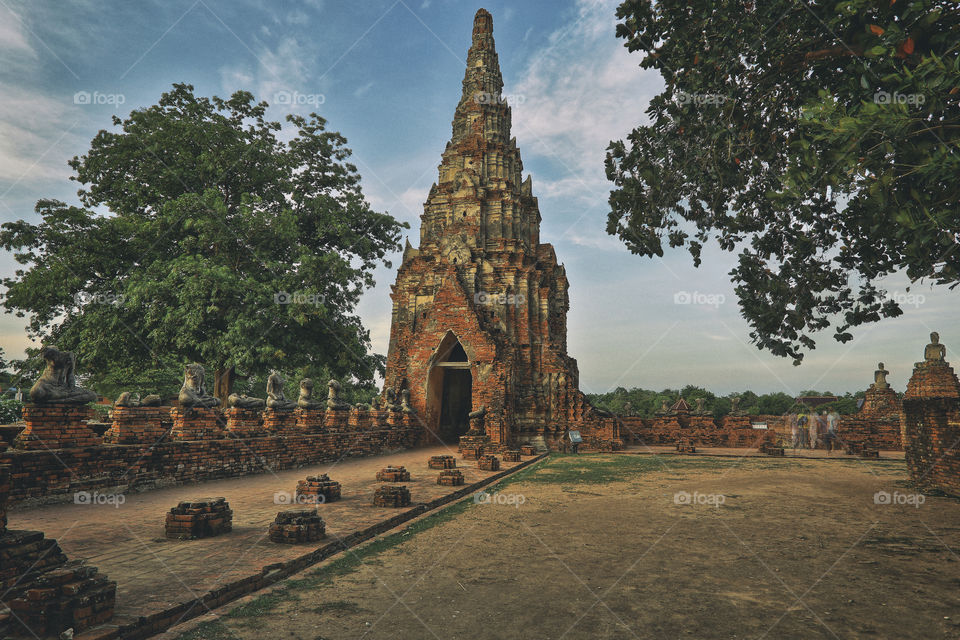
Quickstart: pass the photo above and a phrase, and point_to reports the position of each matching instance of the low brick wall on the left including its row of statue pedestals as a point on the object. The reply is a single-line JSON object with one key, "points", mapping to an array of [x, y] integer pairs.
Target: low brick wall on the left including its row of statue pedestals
{"points": [[148, 447]]}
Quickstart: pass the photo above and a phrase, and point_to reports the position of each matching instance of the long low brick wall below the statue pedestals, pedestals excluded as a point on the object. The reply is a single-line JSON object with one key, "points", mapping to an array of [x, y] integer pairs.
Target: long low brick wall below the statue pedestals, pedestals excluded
{"points": [[54, 475]]}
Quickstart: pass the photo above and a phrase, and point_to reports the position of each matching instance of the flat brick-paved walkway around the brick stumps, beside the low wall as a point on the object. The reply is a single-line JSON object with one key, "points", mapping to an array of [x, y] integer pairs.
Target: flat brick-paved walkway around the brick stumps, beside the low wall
{"points": [[125, 541]]}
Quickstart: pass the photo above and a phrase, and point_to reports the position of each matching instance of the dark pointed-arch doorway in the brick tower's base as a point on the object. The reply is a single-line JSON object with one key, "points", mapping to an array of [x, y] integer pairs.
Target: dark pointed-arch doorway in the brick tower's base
{"points": [[450, 391]]}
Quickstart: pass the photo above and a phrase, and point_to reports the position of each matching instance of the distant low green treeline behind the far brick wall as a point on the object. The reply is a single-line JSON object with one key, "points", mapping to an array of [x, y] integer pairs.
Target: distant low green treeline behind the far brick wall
{"points": [[644, 402]]}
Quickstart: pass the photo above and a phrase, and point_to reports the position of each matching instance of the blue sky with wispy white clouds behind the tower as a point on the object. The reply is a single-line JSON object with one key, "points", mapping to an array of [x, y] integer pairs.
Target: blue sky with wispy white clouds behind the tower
{"points": [[386, 74]]}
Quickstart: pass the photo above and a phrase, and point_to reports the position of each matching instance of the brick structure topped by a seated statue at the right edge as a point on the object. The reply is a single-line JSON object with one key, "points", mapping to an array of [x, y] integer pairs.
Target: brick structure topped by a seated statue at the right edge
{"points": [[930, 422]]}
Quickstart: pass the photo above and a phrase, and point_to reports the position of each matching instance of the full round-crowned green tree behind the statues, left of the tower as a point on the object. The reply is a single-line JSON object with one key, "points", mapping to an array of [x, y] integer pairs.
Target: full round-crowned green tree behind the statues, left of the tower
{"points": [[204, 237]]}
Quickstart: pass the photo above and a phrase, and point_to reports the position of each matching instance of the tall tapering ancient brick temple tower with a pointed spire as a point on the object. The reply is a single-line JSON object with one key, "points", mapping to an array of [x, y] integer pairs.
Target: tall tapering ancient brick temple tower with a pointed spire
{"points": [[479, 308]]}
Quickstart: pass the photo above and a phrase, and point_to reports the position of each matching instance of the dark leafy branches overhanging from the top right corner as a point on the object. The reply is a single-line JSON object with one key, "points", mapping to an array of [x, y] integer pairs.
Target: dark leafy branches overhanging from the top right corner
{"points": [[819, 140]]}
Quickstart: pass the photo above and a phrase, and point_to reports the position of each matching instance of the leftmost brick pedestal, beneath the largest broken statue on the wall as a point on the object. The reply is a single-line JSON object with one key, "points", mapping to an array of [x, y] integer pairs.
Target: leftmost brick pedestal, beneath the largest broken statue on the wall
{"points": [[56, 426]]}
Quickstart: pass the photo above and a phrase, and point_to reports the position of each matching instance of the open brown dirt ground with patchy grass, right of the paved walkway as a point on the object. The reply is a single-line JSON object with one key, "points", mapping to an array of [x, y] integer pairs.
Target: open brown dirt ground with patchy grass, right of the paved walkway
{"points": [[621, 546]]}
